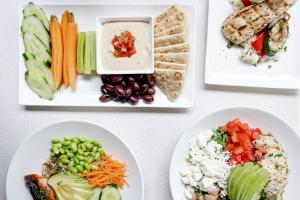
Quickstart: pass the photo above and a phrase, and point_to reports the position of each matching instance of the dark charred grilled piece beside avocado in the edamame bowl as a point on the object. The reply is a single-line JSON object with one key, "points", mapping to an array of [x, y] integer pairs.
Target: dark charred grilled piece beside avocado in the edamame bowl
{"points": [[39, 188]]}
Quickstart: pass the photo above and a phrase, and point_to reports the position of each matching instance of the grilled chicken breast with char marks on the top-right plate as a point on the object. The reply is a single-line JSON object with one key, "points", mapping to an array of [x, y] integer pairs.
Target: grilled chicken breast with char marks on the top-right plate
{"points": [[244, 24]]}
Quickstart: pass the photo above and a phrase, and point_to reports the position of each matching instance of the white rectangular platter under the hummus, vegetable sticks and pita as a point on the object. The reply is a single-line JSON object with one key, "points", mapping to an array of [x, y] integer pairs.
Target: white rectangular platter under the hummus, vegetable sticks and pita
{"points": [[88, 87]]}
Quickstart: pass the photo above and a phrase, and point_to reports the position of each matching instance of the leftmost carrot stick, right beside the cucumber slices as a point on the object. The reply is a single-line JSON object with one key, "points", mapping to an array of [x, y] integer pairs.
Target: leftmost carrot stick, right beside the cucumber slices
{"points": [[57, 50]]}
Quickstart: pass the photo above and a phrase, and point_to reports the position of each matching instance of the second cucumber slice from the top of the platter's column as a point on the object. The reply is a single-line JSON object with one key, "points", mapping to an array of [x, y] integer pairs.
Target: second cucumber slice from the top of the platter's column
{"points": [[35, 26]]}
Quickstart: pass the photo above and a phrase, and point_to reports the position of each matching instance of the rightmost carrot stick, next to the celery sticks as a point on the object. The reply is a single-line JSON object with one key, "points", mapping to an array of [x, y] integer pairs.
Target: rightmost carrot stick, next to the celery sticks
{"points": [[71, 53]]}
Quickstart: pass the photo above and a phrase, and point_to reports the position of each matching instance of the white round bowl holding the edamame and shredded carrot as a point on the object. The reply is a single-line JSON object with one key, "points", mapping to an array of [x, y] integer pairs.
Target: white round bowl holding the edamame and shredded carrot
{"points": [[35, 150]]}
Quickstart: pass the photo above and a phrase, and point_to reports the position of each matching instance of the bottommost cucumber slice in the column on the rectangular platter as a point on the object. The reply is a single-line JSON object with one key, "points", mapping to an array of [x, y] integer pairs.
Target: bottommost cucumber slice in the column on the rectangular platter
{"points": [[38, 84]]}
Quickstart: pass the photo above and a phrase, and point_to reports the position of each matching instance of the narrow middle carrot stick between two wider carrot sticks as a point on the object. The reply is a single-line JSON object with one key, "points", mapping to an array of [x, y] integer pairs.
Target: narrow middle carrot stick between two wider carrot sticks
{"points": [[64, 21]]}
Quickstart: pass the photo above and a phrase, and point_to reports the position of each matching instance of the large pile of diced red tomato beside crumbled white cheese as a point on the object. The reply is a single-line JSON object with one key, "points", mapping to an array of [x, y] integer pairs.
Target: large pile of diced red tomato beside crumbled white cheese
{"points": [[241, 142]]}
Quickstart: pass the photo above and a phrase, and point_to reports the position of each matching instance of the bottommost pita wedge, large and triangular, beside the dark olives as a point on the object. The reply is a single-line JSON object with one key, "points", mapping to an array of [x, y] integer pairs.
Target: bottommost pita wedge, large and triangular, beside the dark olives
{"points": [[170, 82]]}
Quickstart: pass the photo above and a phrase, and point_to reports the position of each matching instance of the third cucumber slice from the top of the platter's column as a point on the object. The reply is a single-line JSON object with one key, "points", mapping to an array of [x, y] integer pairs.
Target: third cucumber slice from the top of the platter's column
{"points": [[33, 45]]}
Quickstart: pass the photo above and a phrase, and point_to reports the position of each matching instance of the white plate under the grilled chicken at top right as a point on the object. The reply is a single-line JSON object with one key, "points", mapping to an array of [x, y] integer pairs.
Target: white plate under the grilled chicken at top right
{"points": [[223, 66]]}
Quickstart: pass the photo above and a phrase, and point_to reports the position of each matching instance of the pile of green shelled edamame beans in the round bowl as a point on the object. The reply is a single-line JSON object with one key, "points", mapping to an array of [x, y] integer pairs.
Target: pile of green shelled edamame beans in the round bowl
{"points": [[76, 154]]}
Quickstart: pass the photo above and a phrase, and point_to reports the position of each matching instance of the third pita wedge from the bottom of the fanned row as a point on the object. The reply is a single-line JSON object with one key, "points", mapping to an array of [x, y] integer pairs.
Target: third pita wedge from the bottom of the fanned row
{"points": [[181, 58]]}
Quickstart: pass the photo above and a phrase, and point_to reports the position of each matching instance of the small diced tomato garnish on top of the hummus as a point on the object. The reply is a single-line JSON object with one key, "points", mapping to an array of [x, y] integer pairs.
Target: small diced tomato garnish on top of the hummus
{"points": [[124, 45]]}
